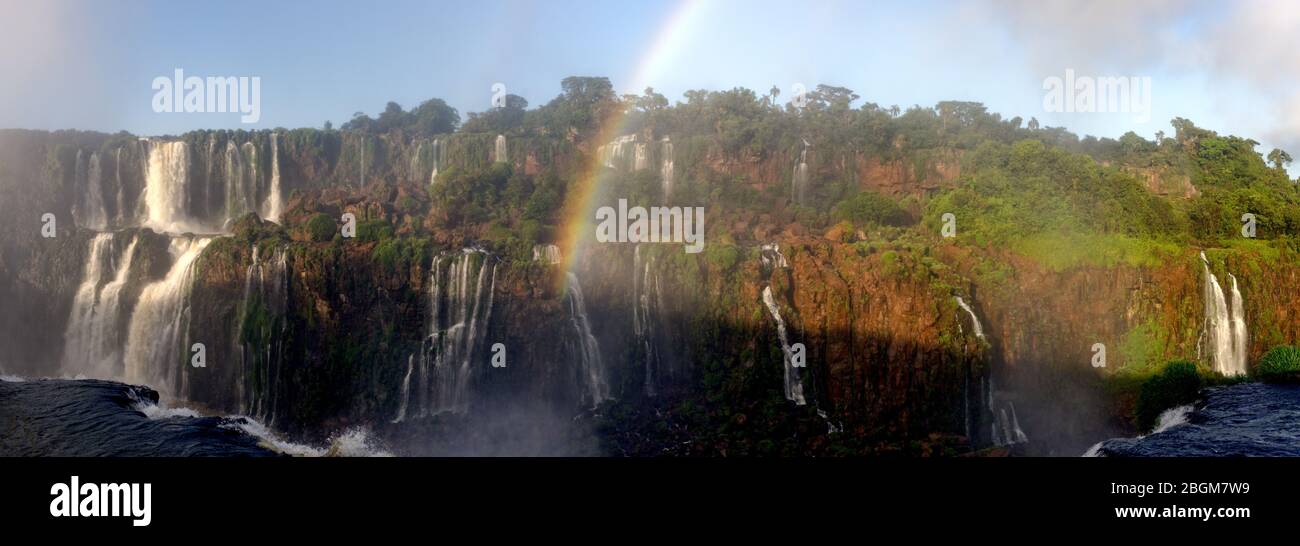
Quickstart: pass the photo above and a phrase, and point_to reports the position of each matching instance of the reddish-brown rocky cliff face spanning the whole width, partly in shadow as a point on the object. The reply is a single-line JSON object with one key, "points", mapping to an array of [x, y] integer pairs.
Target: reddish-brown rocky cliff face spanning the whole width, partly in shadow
{"points": [[651, 349]]}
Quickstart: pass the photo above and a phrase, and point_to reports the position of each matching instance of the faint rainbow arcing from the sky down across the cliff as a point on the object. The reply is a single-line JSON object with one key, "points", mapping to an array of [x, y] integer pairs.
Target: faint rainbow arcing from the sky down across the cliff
{"points": [[666, 47]]}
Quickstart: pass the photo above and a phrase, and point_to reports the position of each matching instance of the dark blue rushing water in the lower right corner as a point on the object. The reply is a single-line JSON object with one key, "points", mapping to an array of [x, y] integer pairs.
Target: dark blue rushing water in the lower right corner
{"points": [[1238, 421]]}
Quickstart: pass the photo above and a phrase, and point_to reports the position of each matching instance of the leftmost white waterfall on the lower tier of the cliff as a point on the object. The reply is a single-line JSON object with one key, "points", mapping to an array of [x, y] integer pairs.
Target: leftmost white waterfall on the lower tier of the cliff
{"points": [[92, 341]]}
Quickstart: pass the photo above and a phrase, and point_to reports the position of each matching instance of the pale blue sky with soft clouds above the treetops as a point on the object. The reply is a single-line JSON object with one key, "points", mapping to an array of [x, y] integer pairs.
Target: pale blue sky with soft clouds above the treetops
{"points": [[89, 64]]}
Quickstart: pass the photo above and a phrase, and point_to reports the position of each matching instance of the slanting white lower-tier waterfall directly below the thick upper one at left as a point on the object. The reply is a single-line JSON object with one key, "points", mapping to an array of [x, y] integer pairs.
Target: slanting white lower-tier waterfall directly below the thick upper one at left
{"points": [[155, 349]]}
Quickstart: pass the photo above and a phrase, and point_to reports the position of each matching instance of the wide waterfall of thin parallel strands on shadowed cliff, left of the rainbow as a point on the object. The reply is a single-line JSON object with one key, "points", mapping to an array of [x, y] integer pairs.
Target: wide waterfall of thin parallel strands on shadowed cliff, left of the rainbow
{"points": [[461, 298]]}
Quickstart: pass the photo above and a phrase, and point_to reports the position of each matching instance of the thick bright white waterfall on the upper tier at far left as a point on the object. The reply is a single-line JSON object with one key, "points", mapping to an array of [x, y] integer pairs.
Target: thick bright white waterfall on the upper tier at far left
{"points": [[166, 188]]}
